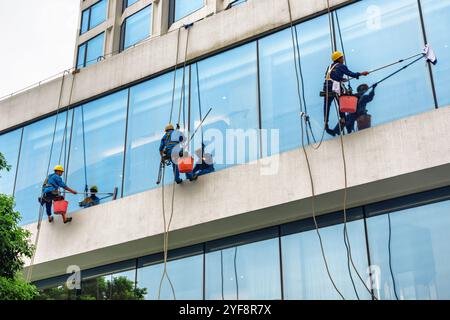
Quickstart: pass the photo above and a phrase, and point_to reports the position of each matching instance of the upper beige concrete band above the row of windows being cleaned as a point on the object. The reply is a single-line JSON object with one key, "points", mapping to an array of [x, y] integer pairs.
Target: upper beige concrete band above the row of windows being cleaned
{"points": [[157, 55]]}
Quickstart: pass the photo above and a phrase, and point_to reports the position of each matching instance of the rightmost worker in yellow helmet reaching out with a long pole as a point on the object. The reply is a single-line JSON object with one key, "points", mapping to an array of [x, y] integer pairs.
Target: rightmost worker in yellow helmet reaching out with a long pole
{"points": [[333, 87]]}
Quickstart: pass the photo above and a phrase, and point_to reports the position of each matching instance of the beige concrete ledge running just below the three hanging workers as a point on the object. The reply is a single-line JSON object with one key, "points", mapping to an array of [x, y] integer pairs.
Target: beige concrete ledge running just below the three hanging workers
{"points": [[395, 159]]}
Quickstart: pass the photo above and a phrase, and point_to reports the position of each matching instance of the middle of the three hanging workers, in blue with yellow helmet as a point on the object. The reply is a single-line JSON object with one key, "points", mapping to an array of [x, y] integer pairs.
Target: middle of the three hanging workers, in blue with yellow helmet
{"points": [[170, 148]]}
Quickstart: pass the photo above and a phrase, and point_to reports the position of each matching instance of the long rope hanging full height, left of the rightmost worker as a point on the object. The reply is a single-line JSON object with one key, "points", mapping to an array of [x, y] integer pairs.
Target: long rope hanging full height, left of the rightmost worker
{"points": [[307, 160]]}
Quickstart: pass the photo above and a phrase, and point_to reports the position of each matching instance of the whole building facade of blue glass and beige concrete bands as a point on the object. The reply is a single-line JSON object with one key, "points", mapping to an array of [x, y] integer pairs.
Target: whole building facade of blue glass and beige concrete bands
{"points": [[247, 230]]}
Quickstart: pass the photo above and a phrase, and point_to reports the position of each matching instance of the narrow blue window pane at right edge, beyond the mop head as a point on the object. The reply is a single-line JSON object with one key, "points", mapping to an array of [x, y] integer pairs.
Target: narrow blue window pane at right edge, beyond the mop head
{"points": [[437, 24]]}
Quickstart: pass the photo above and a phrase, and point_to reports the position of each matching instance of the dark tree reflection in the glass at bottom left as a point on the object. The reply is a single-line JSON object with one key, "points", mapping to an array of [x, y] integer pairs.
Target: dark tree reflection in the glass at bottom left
{"points": [[120, 288]]}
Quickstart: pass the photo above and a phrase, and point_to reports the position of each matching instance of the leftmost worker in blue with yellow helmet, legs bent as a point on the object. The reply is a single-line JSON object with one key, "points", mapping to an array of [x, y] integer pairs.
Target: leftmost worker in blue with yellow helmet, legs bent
{"points": [[50, 191]]}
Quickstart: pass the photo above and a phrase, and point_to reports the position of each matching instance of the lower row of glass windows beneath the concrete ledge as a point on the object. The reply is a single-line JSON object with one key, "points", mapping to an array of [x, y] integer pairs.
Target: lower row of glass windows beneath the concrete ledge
{"points": [[406, 247]]}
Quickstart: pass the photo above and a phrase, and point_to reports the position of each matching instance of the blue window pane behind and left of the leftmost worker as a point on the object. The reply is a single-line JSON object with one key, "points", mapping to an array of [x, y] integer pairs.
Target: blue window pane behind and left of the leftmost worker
{"points": [[35, 154]]}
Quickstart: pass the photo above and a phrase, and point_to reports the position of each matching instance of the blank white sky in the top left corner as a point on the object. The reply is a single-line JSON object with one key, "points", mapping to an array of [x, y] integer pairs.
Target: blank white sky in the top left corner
{"points": [[37, 40]]}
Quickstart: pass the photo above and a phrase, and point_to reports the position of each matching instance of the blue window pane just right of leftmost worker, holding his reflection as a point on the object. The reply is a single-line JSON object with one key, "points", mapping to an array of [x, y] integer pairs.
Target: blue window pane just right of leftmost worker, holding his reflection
{"points": [[101, 139]]}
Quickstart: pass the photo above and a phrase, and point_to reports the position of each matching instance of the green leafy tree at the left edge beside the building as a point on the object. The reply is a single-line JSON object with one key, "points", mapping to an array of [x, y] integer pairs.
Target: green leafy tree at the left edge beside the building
{"points": [[14, 246]]}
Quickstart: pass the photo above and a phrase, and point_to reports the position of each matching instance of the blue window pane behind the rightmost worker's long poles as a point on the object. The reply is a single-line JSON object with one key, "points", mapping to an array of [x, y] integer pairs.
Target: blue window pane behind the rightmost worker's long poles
{"points": [[368, 24]]}
